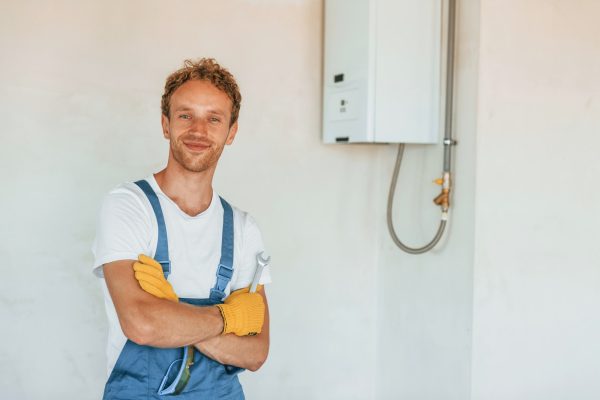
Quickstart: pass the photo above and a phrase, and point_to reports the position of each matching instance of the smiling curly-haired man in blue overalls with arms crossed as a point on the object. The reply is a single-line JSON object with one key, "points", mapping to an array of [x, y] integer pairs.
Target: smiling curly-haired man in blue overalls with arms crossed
{"points": [[171, 252]]}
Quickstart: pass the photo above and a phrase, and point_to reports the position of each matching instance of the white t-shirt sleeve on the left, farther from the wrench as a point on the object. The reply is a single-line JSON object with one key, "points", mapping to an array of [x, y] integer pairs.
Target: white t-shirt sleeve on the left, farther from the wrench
{"points": [[123, 229]]}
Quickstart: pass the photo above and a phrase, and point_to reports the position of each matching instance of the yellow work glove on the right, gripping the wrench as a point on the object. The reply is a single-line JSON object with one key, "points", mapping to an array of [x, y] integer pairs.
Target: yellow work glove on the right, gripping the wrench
{"points": [[243, 313]]}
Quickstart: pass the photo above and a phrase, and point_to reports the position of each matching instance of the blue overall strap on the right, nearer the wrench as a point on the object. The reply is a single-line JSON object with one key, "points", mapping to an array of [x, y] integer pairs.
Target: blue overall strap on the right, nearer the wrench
{"points": [[225, 268]]}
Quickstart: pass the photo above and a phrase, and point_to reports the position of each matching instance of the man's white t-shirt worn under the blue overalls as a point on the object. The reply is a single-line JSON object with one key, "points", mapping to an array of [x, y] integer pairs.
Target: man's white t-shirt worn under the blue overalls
{"points": [[127, 227]]}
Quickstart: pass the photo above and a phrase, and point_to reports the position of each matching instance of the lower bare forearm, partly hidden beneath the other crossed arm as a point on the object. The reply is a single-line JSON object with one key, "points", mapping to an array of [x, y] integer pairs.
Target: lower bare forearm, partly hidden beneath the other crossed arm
{"points": [[249, 352]]}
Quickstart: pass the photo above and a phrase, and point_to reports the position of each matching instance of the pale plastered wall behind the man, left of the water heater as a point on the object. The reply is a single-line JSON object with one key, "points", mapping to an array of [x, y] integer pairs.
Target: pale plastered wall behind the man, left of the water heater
{"points": [[79, 99]]}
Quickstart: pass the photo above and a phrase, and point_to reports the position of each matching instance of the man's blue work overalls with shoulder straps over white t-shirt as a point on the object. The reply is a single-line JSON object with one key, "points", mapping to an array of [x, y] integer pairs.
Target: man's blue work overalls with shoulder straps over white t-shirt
{"points": [[141, 370]]}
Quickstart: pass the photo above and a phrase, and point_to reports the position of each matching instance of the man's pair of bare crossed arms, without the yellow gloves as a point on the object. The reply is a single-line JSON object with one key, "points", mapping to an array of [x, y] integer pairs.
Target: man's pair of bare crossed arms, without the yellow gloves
{"points": [[151, 321]]}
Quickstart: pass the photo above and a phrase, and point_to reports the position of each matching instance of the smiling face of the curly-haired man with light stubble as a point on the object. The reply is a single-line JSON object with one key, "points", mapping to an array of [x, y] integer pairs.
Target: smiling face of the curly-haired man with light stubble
{"points": [[198, 125]]}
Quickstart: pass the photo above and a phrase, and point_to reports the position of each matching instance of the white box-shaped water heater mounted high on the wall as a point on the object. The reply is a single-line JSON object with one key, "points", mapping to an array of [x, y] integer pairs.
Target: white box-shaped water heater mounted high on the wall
{"points": [[383, 72]]}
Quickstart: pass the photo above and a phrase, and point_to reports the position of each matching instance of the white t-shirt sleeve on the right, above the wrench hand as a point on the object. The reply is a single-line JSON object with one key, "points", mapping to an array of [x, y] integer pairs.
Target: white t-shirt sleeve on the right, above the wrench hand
{"points": [[252, 246]]}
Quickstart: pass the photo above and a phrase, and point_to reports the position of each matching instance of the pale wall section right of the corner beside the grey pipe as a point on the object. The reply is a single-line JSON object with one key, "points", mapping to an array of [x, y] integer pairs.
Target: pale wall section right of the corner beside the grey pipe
{"points": [[537, 276]]}
